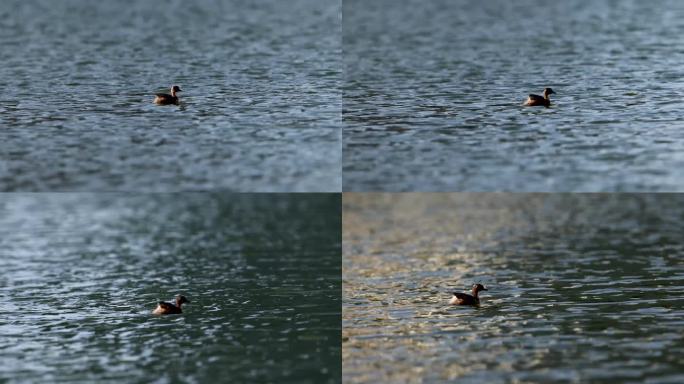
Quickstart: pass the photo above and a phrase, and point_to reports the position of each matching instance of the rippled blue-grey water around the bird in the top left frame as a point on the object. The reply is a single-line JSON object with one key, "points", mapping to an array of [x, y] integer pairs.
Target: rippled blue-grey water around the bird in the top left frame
{"points": [[260, 111]]}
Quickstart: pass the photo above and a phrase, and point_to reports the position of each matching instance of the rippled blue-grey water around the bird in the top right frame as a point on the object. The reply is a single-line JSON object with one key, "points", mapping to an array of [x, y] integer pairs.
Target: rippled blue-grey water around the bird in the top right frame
{"points": [[433, 94]]}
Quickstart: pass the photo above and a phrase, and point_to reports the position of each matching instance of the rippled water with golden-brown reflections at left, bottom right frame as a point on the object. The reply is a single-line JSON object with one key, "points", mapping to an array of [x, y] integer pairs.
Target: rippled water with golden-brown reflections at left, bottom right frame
{"points": [[581, 288]]}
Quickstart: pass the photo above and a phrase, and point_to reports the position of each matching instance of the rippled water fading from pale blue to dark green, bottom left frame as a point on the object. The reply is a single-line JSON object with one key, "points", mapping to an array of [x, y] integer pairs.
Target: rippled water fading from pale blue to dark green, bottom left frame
{"points": [[81, 274]]}
